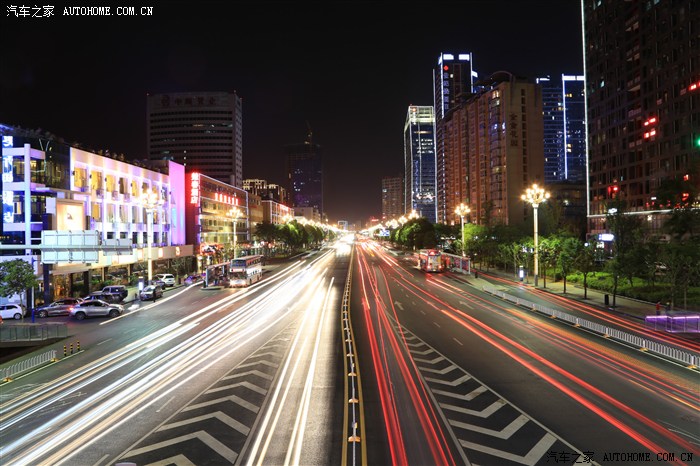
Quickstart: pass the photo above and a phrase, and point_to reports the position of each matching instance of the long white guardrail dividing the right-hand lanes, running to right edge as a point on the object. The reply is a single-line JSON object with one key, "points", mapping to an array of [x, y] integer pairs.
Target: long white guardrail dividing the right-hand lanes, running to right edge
{"points": [[684, 357]]}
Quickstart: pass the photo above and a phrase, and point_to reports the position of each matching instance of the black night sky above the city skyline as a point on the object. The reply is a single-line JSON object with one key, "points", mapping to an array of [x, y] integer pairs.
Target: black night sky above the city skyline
{"points": [[349, 69]]}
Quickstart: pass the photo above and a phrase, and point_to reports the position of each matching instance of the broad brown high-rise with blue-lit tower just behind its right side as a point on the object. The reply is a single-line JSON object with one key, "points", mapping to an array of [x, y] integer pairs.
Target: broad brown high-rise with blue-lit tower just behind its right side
{"points": [[505, 148]]}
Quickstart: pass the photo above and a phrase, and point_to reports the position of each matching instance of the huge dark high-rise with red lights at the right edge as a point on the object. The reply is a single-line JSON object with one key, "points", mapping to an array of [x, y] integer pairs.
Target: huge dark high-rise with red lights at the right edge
{"points": [[642, 68]]}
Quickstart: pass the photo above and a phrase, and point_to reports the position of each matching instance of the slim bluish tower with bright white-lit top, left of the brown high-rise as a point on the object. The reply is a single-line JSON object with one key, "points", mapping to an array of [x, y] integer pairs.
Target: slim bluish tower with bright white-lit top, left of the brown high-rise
{"points": [[419, 161]]}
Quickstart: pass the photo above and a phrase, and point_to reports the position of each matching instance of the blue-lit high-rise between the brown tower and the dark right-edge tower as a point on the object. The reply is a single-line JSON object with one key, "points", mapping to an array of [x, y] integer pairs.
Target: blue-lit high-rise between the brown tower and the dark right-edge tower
{"points": [[564, 119]]}
